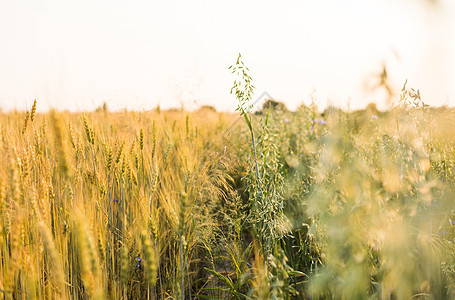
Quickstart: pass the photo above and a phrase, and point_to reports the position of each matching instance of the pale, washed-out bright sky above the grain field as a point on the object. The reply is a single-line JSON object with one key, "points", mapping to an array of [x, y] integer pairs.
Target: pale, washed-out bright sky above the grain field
{"points": [[137, 54]]}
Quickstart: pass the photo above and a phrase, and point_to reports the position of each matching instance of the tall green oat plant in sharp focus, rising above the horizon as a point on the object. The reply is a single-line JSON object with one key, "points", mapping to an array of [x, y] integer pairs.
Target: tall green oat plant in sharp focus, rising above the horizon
{"points": [[269, 276]]}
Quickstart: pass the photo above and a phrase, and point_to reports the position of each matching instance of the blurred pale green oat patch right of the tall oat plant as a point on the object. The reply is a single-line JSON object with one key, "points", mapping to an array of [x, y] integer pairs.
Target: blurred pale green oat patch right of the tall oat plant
{"points": [[370, 203]]}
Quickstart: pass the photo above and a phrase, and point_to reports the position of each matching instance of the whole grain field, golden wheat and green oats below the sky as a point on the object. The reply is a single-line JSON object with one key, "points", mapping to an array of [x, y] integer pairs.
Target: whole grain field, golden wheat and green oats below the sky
{"points": [[180, 205]]}
